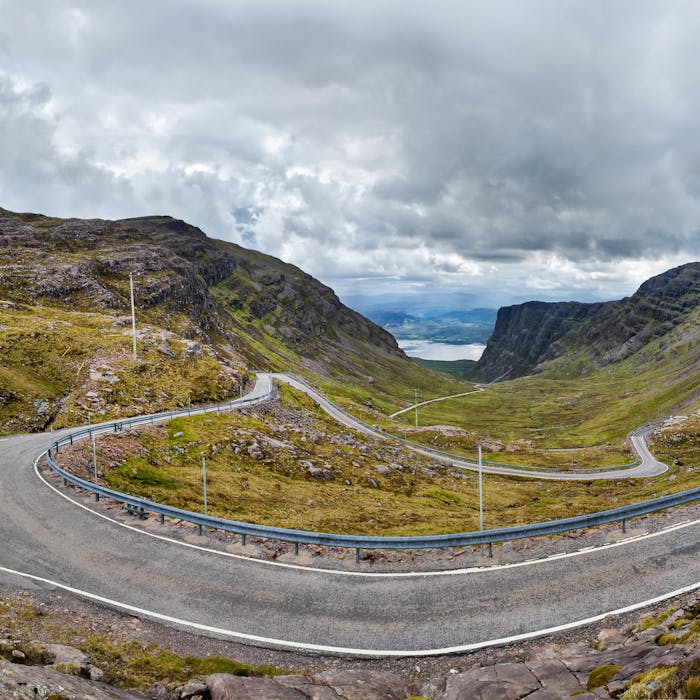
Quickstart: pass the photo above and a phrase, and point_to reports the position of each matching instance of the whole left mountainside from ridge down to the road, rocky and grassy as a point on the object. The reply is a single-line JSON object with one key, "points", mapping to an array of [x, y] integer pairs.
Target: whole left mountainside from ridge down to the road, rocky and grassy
{"points": [[208, 314]]}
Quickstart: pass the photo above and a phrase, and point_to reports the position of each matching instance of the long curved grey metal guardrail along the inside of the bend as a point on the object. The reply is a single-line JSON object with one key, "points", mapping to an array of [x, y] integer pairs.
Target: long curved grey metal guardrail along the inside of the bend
{"points": [[141, 506]]}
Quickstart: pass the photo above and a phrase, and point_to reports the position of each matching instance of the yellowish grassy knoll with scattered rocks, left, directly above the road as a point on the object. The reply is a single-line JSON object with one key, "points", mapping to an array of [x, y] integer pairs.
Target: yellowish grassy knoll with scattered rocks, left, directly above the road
{"points": [[61, 366]]}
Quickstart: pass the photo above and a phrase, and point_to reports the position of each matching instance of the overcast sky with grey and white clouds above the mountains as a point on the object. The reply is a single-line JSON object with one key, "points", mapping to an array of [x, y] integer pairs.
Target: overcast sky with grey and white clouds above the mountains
{"points": [[509, 150]]}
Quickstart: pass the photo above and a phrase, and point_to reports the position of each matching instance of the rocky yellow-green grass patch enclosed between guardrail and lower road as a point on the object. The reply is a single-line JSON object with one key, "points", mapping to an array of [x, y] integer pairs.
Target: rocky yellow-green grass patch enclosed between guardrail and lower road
{"points": [[288, 464]]}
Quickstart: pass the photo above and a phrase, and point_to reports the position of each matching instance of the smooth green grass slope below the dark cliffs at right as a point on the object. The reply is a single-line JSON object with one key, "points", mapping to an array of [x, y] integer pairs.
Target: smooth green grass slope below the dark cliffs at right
{"points": [[563, 407]]}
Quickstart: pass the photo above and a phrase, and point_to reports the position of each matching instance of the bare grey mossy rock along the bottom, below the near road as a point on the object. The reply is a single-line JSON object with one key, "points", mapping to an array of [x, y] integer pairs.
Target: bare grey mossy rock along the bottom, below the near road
{"points": [[658, 657]]}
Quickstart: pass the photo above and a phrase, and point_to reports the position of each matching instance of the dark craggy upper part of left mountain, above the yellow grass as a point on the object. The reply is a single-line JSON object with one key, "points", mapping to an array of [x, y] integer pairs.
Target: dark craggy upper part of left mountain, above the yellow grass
{"points": [[85, 264]]}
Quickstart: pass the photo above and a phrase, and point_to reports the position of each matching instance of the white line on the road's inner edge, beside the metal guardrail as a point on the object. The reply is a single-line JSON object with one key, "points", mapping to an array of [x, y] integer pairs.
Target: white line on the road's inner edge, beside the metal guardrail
{"points": [[367, 574]]}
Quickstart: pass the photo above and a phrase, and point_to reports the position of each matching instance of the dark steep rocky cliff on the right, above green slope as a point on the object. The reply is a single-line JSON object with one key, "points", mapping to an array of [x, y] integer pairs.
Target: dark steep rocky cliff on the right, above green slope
{"points": [[589, 336]]}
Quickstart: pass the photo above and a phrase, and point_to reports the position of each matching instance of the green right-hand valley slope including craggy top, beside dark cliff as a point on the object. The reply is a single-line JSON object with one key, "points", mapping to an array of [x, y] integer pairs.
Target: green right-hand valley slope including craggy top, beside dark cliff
{"points": [[608, 377]]}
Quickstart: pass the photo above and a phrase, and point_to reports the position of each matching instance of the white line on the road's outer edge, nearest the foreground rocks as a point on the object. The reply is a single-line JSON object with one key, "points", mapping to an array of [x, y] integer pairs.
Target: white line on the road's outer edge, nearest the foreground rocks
{"points": [[348, 650]]}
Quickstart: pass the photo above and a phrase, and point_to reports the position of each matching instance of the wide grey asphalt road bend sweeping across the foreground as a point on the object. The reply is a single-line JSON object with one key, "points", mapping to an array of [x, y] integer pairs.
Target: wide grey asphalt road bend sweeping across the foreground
{"points": [[51, 541]]}
